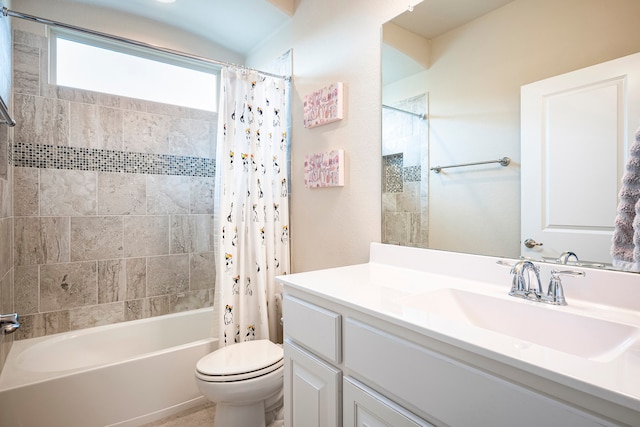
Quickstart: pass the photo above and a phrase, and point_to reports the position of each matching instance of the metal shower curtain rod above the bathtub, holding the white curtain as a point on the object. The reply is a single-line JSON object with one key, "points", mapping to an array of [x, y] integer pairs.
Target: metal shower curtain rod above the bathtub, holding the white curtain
{"points": [[14, 14]]}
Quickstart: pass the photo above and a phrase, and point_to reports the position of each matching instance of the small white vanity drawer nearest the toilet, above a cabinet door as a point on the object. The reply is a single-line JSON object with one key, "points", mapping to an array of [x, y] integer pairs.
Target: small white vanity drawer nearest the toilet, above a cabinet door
{"points": [[315, 328]]}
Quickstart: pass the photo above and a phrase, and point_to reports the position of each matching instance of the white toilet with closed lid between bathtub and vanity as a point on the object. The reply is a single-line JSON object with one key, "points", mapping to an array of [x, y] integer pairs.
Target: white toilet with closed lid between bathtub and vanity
{"points": [[244, 380]]}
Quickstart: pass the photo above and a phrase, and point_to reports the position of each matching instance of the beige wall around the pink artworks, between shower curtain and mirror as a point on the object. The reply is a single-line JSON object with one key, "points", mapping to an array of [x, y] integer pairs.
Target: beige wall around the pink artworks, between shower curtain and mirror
{"points": [[335, 40]]}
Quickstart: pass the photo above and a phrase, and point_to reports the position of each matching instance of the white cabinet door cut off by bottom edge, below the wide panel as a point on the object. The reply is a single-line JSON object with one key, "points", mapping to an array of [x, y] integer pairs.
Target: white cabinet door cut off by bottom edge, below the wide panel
{"points": [[364, 407]]}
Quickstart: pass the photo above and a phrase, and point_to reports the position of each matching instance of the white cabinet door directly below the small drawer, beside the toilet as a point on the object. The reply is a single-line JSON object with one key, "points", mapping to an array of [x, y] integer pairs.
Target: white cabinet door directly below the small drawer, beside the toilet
{"points": [[311, 388]]}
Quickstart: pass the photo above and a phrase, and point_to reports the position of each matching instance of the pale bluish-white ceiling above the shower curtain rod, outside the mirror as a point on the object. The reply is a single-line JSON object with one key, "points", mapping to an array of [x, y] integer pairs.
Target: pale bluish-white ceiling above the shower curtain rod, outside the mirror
{"points": [[237, 25]]}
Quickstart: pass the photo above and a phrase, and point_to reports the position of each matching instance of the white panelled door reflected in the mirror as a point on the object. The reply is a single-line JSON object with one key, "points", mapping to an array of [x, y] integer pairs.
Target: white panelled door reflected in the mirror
{"points": [[576, 131]]}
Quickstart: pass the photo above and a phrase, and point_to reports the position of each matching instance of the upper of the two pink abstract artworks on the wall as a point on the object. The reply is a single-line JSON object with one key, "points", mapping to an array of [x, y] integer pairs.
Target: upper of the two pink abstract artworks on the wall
{"points": [[323, 106]]}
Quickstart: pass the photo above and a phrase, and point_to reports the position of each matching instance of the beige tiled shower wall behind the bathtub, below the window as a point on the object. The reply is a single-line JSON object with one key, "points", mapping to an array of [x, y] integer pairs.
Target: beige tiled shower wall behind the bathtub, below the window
{"points": [[113, 203]]}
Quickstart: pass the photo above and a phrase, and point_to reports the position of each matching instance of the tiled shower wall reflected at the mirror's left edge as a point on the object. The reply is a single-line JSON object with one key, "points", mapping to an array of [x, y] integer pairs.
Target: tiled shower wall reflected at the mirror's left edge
{"points": [[405, 174]]}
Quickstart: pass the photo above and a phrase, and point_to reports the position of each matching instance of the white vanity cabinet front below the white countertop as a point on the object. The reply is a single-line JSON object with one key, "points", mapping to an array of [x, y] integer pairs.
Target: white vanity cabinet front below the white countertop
{"points": [[353, 368]]}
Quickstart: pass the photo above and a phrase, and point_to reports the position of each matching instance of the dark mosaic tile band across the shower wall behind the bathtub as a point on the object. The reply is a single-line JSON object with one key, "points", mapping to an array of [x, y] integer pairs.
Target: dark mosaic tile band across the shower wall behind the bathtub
{"points": [[91, 159]]}
